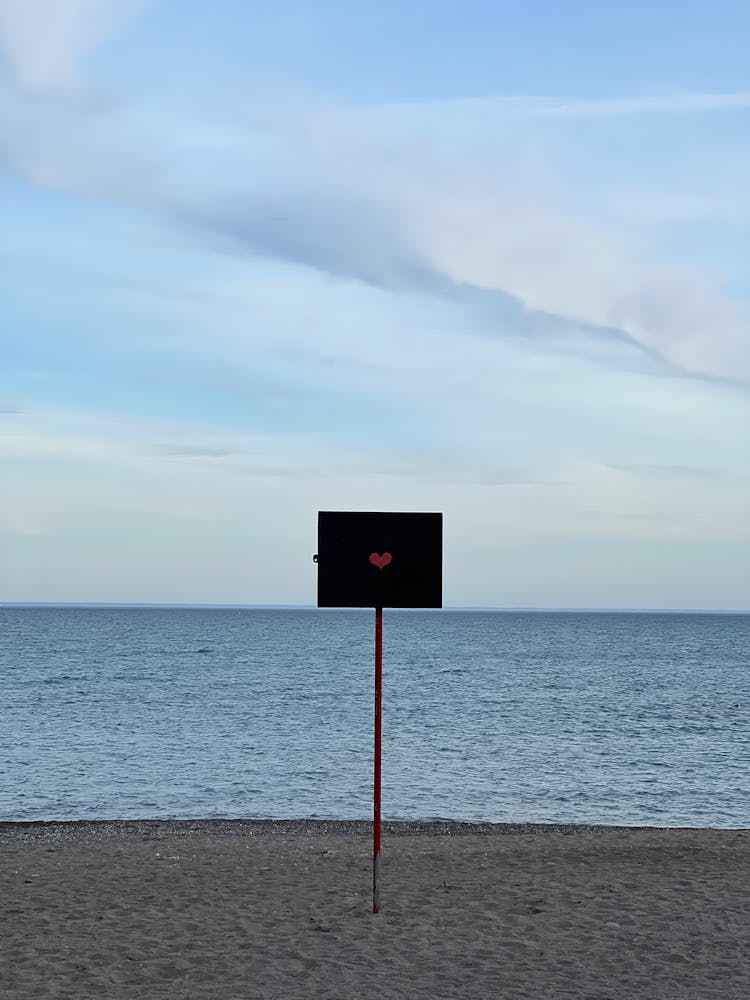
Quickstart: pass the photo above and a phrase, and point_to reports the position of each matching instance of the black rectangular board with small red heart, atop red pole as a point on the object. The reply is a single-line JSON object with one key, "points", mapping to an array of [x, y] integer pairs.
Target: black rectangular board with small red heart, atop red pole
{"points": [[379, 560]]}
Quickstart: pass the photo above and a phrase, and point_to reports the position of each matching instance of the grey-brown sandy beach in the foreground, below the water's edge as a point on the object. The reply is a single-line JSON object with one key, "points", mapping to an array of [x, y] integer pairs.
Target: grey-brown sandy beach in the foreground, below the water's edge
{"points": [[235, 910]]}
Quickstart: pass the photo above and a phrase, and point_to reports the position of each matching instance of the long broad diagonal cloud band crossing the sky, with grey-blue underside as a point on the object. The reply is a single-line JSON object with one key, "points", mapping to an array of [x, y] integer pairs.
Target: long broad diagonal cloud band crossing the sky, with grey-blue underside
{"points": [[353, 209]]}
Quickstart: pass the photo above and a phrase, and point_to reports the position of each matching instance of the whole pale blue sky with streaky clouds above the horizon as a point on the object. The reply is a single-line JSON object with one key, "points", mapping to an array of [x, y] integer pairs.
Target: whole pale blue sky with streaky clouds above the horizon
{"points": [[485, 258]]}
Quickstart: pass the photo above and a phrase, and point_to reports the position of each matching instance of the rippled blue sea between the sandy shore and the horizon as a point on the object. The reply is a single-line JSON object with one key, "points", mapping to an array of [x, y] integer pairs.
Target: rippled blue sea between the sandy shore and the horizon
{"points": [[540, 717]]}
